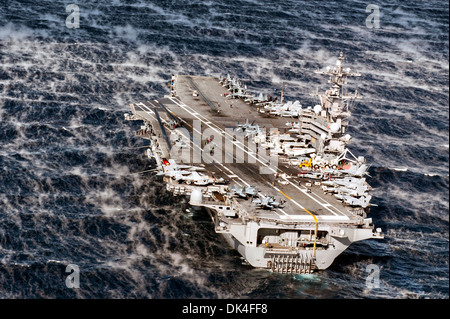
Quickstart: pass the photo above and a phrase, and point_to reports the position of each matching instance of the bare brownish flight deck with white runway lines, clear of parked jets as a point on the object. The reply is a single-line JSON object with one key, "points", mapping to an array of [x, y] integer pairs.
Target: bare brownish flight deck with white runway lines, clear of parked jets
{"points": [[301, 201]]}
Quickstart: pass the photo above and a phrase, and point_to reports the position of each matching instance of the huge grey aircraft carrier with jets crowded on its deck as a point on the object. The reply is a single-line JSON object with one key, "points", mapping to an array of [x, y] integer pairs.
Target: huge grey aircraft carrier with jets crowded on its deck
{"points": [[276, 176]]}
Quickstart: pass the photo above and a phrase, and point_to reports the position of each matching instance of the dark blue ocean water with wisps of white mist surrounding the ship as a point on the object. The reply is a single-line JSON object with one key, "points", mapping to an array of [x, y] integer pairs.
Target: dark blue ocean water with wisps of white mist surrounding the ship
{"points": [[72, 186]]}
